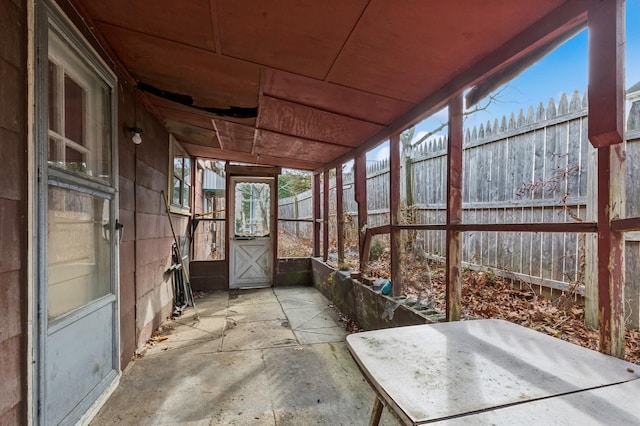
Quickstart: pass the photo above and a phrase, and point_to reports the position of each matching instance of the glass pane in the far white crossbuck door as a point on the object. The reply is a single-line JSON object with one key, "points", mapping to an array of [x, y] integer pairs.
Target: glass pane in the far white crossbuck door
{"points": [[252, 209]]}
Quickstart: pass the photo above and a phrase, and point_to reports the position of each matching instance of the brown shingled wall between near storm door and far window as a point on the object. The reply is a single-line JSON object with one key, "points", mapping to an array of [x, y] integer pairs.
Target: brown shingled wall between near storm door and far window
{"points": [[146, 293]]}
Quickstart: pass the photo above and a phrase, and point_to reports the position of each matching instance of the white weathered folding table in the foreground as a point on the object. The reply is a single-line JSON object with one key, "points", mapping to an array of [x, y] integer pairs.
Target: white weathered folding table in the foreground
{"points": [[495, 372]]}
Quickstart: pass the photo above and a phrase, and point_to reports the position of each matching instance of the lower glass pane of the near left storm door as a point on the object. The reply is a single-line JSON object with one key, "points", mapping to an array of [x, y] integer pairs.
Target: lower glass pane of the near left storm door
{"points": [[78, 252]]}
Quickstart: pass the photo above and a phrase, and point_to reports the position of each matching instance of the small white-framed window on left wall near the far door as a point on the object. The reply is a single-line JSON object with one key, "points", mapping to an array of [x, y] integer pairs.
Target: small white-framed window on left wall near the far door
{"points": [[176, 150]]}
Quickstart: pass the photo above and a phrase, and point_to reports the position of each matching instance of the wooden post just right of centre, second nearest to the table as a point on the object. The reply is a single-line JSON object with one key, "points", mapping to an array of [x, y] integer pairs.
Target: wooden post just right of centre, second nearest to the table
{"points": [[454, 211]]}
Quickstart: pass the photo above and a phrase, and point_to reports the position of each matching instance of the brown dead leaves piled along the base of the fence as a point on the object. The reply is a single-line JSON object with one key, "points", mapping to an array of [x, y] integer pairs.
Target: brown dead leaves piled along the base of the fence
{"points": [[486, 295]]}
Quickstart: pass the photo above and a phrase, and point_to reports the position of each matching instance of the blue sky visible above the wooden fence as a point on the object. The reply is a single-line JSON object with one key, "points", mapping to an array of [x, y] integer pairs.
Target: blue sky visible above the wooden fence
{"points": [[562, 71]]}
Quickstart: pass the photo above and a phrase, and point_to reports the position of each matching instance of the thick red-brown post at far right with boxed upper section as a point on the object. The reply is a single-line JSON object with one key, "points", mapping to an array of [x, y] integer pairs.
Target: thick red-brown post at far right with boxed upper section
{"points": [[606, 118]]}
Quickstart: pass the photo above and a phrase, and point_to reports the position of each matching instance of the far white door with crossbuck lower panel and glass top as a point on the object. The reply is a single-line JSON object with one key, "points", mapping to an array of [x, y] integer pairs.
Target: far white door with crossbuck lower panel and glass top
{"points": [[251, 238]]}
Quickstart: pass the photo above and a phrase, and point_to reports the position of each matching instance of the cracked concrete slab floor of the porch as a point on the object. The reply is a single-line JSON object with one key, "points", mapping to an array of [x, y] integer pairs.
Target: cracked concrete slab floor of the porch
{"points": [[256, 357]]}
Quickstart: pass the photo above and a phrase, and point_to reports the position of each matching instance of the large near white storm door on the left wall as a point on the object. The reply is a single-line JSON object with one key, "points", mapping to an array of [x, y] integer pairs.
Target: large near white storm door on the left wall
{"points": [[78, 360]]}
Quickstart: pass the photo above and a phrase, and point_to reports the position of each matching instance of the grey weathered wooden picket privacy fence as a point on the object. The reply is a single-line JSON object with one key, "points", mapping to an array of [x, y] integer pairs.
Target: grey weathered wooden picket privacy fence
{"points": [[530, 168]]}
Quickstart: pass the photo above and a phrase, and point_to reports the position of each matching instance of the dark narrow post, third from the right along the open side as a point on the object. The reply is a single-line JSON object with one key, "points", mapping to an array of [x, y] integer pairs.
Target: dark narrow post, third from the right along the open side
{"points": [[394, 207]]}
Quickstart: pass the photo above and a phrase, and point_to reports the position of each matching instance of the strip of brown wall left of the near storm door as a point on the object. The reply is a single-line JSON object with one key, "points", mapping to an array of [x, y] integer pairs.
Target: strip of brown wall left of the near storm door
{"points": [[13, 198]]}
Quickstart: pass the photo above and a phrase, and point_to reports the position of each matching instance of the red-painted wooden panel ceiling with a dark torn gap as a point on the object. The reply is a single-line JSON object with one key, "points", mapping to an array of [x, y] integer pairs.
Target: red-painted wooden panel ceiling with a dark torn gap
{"points": [[307, 83]]}
